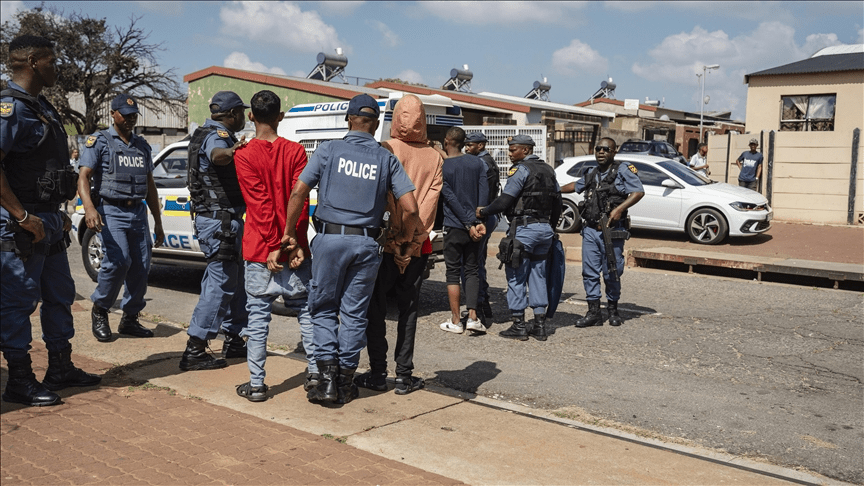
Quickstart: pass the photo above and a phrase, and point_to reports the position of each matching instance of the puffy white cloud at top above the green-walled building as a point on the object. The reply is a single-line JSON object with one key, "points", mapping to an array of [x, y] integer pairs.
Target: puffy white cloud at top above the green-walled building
{"points": [[281, 23]]}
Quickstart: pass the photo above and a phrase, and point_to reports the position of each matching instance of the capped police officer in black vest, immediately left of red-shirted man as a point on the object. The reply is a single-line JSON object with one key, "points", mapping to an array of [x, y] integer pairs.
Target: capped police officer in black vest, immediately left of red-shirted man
{"points": [[218, 205]]}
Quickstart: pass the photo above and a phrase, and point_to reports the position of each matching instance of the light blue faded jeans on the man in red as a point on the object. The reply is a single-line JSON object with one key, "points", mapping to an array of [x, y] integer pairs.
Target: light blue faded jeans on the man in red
{"points": [[262, 288]]}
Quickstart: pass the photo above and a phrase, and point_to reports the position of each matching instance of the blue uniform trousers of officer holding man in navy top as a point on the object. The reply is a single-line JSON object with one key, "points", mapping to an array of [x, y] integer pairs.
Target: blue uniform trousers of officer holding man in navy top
{"points": [[536, 238]]}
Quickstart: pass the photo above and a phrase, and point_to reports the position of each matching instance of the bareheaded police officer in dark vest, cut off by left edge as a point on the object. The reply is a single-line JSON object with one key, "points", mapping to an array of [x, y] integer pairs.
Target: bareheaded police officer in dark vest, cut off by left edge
{"points": [[35, 177]]}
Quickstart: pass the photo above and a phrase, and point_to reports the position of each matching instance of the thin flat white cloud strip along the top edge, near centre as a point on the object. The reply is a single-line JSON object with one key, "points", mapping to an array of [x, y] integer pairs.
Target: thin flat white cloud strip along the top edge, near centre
{"points": [[505, 13]]}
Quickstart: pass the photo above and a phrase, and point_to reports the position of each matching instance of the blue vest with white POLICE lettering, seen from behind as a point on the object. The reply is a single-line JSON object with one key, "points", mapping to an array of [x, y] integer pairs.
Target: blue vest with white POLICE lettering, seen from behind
{"points": [[356, 180]]}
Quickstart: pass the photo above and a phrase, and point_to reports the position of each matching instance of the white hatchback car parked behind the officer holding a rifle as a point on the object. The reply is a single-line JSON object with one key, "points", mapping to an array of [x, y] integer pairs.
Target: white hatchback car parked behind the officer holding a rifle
{"points": [[676, 199]]}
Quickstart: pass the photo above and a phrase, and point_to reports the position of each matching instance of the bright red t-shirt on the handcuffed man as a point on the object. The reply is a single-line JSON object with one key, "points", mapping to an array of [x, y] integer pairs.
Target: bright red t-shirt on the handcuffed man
{"points": [[267, 172]]}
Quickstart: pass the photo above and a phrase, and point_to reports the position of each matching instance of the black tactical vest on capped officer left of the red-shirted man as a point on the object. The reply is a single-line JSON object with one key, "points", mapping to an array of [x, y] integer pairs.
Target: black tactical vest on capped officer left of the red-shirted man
{"points": [[217, 187]]}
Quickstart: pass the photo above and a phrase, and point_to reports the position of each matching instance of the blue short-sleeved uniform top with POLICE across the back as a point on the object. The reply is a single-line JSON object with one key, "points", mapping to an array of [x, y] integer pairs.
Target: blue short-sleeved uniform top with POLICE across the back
{"points": [[354, 175]]}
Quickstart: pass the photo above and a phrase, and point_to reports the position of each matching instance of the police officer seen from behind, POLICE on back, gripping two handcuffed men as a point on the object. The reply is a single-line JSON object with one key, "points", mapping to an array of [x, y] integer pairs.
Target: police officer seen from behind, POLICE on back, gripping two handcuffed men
{"points": [[353, 176]]}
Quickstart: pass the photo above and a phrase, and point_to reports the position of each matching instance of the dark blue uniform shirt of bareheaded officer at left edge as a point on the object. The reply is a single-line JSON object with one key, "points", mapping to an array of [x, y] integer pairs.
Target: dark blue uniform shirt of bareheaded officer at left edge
{"points": [[20, 129]]}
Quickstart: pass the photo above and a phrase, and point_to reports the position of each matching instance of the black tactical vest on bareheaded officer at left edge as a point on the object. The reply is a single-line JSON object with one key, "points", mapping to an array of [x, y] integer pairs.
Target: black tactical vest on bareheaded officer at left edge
{"points": [[42, 175]]}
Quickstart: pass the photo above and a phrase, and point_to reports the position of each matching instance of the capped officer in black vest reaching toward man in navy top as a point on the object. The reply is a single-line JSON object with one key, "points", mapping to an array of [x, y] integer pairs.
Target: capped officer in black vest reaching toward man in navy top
{"points": [[531, 199]]}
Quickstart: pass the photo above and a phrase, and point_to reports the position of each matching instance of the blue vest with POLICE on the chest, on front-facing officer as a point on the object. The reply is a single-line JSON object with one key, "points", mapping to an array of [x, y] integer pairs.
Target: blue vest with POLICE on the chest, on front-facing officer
{"points": [[126, 177]]}
